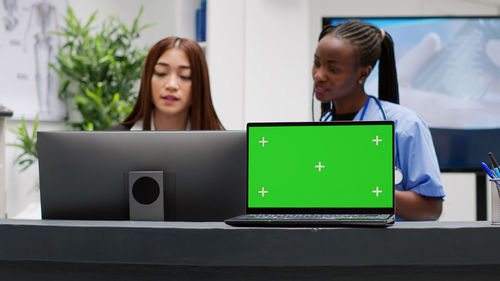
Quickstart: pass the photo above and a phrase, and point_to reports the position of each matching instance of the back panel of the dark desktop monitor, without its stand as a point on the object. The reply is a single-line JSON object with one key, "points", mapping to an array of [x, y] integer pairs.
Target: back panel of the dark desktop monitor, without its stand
{"points": [[83, 175]]}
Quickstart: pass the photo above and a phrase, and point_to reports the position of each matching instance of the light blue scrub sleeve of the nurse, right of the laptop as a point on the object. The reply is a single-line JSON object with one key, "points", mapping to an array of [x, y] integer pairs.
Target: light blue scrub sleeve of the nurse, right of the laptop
{"points": [[418, 159]]}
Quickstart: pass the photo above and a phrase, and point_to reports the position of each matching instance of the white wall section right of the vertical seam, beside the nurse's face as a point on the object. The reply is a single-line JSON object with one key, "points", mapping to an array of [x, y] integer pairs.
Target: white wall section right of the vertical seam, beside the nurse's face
{"points": [[276, 60]]}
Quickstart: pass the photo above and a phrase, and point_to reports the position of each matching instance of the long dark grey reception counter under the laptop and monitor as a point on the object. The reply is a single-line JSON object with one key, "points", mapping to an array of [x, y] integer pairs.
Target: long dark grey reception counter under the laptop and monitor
{"points": [[126, 250]]}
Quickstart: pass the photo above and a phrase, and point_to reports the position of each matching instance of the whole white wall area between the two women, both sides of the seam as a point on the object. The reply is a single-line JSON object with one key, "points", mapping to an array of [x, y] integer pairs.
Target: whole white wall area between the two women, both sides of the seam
{"points": [[258, 58]]}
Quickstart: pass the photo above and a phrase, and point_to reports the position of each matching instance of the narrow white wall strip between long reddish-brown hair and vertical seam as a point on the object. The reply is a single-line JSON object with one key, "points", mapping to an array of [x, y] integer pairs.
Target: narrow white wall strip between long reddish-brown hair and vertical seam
{"points": [[226, 60]]}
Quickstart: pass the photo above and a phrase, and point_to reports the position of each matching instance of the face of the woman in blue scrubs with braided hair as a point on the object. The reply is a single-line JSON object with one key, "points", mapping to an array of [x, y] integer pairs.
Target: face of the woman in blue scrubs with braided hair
{"points": [[335, 71]]}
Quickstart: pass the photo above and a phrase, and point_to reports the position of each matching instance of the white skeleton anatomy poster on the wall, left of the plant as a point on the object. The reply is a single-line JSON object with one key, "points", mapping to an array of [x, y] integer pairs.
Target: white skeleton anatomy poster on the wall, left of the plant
{"points": [[27, 84]]}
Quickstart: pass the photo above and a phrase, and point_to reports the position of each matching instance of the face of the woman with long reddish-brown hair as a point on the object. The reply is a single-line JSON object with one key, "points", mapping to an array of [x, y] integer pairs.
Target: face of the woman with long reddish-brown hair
{"points": [[171, 83]]}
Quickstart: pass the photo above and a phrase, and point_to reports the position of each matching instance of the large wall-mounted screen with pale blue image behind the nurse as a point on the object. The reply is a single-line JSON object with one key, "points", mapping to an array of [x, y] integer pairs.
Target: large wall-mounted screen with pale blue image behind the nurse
{"points": [[448, 68]]}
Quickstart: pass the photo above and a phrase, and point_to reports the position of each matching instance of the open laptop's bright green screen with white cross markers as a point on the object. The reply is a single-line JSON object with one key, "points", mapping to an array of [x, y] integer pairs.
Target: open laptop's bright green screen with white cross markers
{"points": [[322, 165]]}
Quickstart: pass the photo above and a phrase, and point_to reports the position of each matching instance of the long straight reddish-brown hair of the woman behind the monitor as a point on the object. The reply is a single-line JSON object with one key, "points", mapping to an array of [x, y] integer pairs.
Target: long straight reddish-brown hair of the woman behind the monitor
{"points": [[202, 113]]}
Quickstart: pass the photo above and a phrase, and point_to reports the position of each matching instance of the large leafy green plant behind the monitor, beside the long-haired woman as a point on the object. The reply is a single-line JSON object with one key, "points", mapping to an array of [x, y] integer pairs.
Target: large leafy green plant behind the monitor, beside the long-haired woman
{"points": [[99, 68]]}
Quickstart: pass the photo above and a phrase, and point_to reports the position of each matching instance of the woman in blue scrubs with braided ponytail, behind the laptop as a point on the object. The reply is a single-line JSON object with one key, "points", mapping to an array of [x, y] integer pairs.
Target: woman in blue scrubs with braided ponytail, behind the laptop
{"points": [[345, 56]]}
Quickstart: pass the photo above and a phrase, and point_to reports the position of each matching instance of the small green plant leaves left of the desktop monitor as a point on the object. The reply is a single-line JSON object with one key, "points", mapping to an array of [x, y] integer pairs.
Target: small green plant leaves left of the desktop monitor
{"points": [[28, 144]]}
